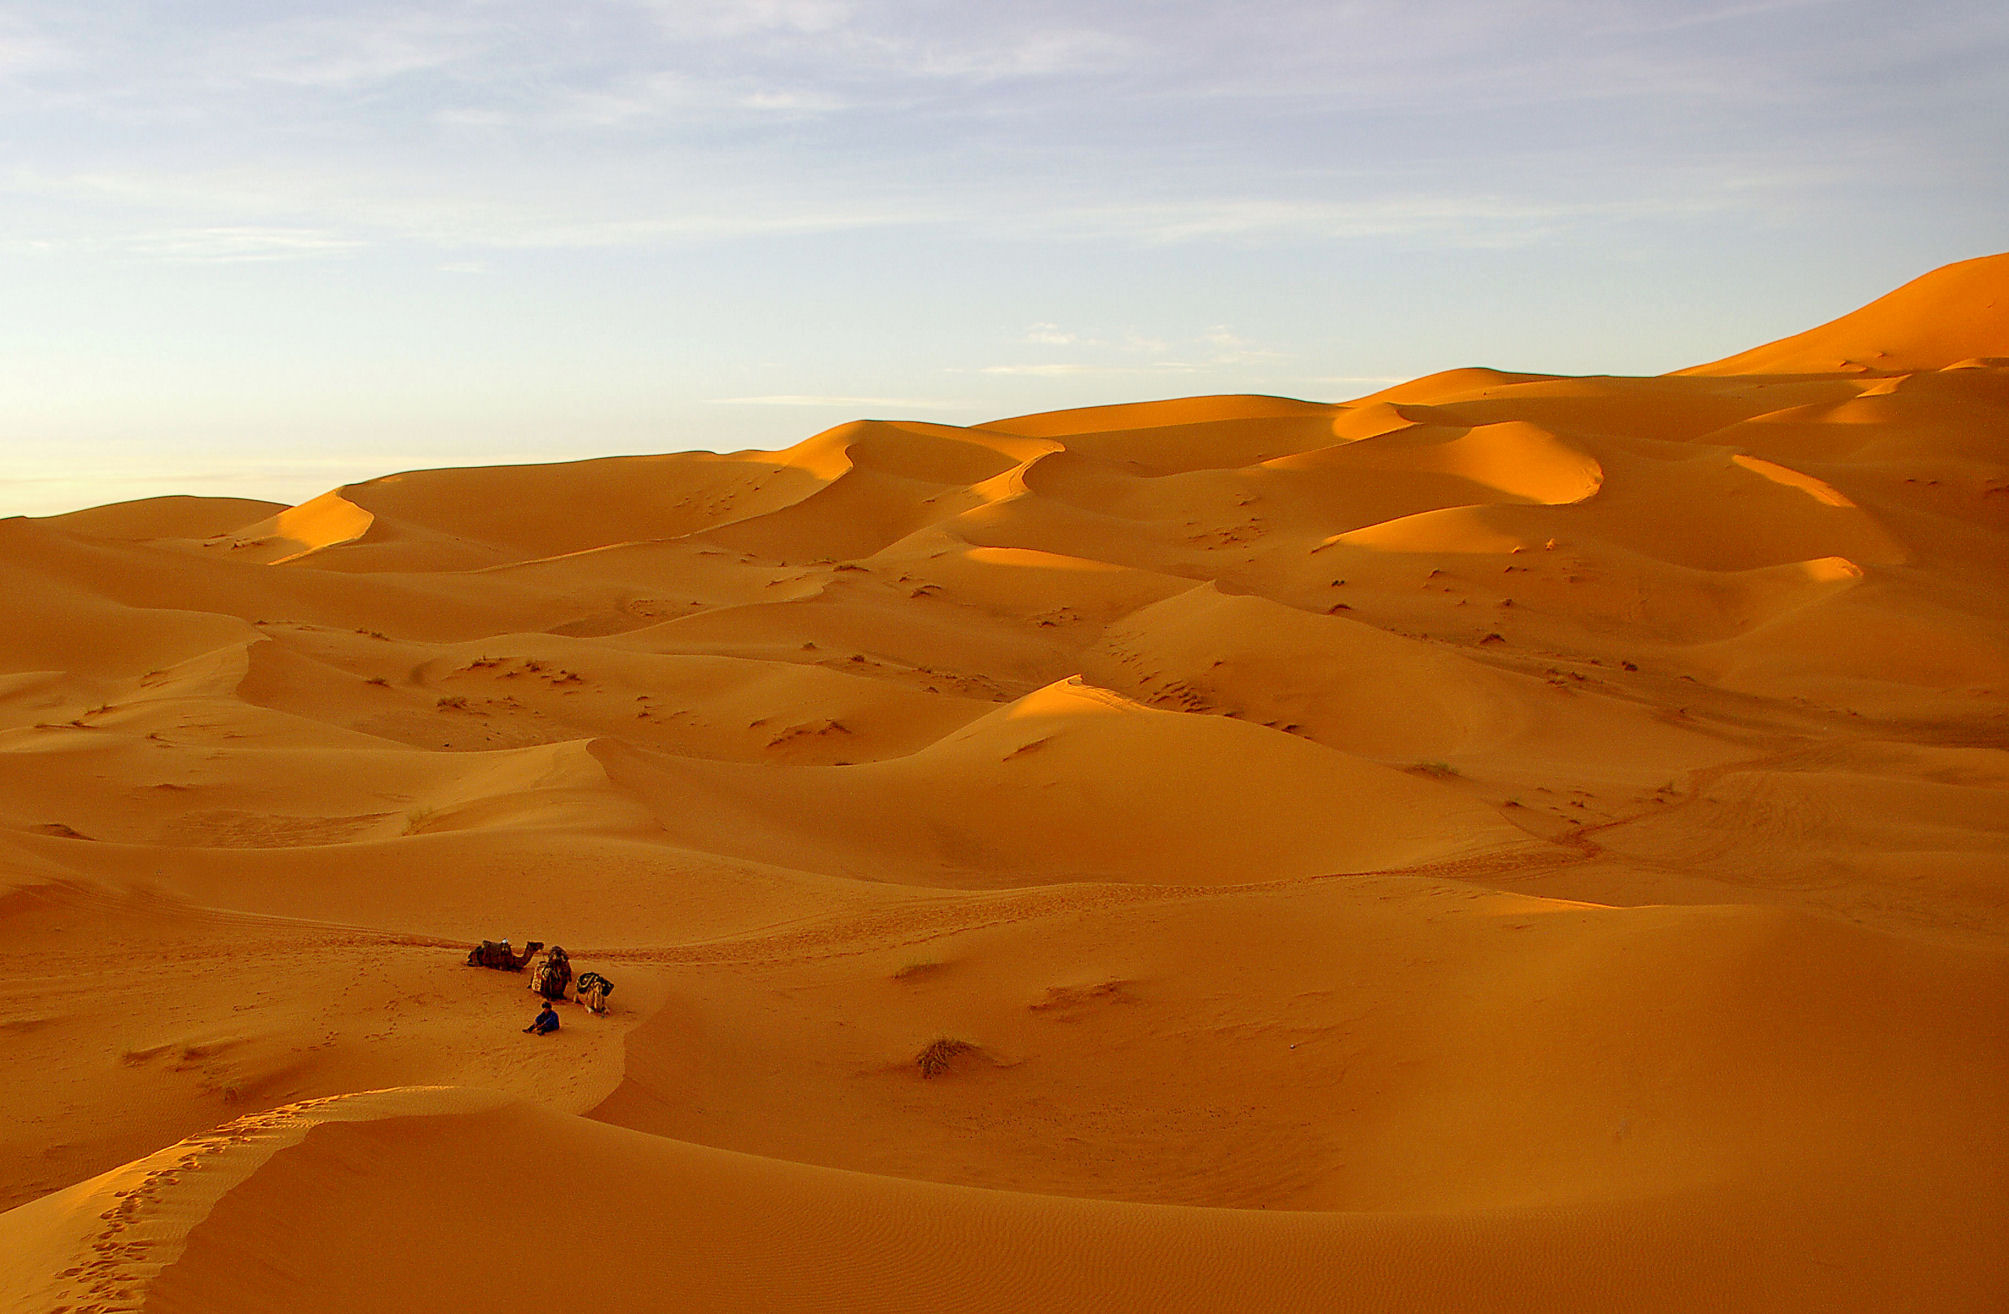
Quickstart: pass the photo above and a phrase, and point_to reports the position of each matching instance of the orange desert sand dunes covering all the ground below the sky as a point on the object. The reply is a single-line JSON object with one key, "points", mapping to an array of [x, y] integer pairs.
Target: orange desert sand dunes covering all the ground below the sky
{"points": [[1506, 843]]}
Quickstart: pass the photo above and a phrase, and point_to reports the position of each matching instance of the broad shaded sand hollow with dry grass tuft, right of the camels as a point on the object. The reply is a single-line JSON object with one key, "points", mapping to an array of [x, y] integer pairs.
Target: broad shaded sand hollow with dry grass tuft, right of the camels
{"points": [[1391, 1044]]}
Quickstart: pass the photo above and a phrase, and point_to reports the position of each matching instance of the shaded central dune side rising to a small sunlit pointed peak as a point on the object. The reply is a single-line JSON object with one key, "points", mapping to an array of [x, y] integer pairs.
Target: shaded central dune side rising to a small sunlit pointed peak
{"points": [[1070, 783]]}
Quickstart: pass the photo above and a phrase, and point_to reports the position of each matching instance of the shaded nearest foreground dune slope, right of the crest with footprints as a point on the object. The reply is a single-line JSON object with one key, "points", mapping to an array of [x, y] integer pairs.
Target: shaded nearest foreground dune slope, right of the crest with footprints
{"points": [[393, 1207]]}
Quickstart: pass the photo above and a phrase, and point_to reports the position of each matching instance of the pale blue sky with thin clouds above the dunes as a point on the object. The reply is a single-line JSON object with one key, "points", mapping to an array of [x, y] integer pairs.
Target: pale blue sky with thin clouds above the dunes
{"points": [[266, 248]]}
